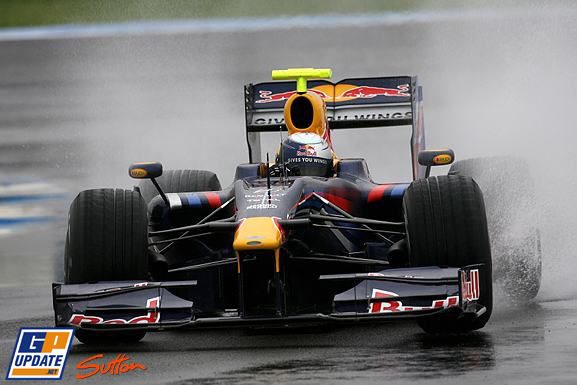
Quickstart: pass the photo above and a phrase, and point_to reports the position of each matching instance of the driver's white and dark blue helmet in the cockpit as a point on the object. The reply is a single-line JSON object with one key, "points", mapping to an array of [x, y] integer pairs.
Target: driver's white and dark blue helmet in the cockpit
{"points": [[306, 154]]}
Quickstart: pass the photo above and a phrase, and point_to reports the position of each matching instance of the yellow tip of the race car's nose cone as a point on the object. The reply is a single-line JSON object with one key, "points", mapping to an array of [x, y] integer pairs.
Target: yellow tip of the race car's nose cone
{"points": [[259, 233]]}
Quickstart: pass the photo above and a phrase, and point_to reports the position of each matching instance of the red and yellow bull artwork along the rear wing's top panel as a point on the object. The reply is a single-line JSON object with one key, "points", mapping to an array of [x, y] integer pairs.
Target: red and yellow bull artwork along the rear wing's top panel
{"points": [[339, 93]]}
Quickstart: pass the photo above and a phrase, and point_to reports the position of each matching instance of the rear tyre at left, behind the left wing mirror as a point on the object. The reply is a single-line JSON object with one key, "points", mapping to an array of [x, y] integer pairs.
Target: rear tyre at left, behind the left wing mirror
{"points": [[174, 181]]}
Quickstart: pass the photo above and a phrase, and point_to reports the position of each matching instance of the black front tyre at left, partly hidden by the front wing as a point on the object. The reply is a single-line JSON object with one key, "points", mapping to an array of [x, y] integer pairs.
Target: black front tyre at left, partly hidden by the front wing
{"points": [[107, 240]]}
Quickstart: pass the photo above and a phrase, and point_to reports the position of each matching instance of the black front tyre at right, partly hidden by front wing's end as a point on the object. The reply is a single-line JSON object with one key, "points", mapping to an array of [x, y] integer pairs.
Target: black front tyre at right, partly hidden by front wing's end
{"points": [[446, 226]]}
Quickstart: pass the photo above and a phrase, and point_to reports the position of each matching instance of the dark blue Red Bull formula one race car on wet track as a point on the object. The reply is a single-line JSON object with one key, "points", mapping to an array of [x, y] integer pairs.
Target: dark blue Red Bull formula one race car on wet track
{"points": [[306, 239]]}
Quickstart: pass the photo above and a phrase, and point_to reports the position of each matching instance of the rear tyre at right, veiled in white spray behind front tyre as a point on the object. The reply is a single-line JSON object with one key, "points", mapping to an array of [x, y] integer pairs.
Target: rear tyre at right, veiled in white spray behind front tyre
{"points": [[515, 240]]}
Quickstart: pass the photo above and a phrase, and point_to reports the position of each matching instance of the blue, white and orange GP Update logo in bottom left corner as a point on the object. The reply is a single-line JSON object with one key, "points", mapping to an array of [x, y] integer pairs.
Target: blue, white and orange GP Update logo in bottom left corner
{"points": [[40, 354]]}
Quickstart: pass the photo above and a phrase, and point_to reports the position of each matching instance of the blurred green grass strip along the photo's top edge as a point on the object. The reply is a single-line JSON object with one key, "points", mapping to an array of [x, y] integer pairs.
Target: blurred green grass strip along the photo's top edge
{"points": [[16, 13]]}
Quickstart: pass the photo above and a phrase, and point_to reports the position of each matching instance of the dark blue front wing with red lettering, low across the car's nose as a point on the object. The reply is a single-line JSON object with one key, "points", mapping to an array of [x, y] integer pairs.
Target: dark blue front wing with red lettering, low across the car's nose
{"points": [[381, 296]]}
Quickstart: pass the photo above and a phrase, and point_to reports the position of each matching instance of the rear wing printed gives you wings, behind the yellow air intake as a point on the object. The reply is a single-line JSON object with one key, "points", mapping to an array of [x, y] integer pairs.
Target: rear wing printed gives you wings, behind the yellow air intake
{"points": [[351, 103]]}
